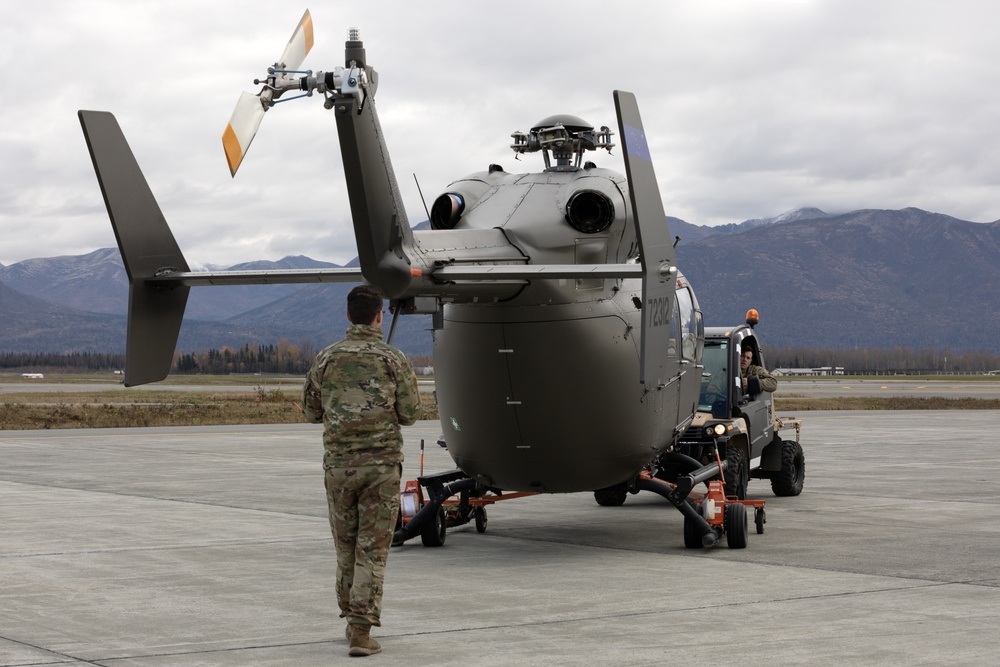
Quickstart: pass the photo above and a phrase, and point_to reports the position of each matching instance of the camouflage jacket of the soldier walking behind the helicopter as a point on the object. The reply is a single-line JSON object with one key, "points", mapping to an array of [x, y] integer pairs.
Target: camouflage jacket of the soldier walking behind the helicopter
{"points": [[361, 389]]}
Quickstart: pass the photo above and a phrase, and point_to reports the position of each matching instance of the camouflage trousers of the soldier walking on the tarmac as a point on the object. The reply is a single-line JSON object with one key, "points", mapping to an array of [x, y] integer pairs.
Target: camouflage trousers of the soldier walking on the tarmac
{"points": [[363, 504]]}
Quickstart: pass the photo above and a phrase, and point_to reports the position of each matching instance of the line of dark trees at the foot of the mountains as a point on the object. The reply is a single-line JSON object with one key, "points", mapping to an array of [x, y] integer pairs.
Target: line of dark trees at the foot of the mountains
{"points": [[286, 358]]}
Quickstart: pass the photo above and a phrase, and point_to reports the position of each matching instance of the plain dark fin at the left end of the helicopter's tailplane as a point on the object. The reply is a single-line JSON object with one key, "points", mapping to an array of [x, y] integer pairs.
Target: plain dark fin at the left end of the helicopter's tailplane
{"points": [[147, 247]]}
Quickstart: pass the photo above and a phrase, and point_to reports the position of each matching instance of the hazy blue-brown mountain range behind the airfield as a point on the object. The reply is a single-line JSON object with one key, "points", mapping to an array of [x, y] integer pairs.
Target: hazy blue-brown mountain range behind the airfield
{"points": [[864, 279]]}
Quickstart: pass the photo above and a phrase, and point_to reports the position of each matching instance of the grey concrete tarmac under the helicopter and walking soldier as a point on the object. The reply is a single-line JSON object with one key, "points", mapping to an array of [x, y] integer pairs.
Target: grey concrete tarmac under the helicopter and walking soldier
{"points": [[211, 546]]}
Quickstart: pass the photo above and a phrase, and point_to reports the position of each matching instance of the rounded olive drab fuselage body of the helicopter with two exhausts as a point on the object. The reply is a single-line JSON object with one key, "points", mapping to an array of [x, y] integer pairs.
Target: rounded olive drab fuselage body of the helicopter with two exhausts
{"points": [[540, 391]]}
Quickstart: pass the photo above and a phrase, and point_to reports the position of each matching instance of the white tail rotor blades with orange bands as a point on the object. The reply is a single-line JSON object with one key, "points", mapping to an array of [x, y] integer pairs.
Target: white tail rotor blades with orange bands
{"points": [[250, 108]]}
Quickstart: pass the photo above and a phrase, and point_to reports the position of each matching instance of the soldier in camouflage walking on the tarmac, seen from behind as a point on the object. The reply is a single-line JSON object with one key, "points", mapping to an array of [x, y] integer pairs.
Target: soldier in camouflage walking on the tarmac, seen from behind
{"points": [[362, 390]]}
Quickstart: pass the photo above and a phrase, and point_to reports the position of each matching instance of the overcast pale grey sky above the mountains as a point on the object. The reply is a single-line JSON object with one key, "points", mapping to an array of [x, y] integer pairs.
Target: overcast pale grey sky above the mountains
{"points": [[752, 107]]}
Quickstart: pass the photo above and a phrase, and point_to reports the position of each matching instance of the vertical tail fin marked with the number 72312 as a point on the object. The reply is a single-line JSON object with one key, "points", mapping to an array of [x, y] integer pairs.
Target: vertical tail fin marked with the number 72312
{"points": [[655, 245]]}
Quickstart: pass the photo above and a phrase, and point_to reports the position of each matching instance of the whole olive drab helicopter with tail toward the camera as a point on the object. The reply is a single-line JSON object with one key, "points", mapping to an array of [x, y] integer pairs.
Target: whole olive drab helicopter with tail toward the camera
{"points": [[567, 344]]}
